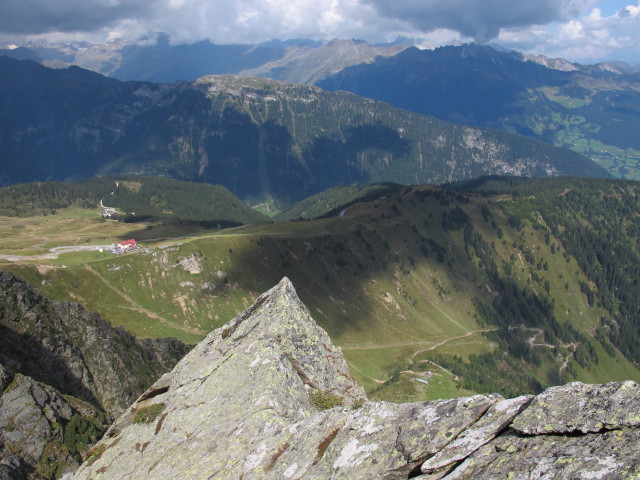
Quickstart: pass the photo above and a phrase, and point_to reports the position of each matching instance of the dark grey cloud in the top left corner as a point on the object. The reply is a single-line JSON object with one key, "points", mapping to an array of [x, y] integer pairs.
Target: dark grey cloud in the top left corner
{"points": [[43, 16]]}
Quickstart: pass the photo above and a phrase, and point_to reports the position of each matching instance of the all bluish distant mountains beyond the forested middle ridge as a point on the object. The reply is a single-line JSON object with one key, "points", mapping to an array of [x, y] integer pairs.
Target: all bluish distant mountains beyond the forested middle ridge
{"points": [[592, 109]]}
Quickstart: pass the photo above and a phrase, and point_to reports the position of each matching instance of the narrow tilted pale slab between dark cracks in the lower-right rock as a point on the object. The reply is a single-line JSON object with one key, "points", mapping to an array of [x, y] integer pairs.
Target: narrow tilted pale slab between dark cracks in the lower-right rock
{"points": [[493, 422]]}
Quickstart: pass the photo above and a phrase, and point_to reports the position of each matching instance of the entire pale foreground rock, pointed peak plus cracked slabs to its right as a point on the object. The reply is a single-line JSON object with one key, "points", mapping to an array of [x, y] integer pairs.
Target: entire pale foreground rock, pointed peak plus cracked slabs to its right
{"points": [[268, 396]]}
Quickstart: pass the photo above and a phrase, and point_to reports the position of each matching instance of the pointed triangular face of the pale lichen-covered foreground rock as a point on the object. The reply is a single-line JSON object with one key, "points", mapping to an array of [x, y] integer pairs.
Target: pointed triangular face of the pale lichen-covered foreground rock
{"points": [[230, 403]]}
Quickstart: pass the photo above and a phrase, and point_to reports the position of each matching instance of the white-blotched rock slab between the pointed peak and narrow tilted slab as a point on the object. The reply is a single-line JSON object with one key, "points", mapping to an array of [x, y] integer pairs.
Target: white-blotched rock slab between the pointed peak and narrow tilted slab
{"points": [[380, 440]]}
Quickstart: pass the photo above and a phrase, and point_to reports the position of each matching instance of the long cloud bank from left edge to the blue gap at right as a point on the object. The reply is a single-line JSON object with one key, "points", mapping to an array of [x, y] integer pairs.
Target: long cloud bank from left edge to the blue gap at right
{"points": [[249, 20]]}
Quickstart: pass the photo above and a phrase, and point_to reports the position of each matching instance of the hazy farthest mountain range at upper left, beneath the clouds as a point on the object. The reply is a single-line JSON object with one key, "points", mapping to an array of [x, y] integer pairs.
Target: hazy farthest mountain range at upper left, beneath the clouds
{"points": [[156, 60]]}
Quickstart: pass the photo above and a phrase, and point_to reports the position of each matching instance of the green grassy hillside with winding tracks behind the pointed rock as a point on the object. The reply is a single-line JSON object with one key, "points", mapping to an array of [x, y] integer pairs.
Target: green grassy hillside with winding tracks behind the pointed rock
{"points": [[429, 292]]}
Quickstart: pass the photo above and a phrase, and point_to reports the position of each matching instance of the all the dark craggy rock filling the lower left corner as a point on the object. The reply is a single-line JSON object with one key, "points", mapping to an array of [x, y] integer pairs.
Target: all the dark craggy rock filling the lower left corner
{"points": [[64, 373]]}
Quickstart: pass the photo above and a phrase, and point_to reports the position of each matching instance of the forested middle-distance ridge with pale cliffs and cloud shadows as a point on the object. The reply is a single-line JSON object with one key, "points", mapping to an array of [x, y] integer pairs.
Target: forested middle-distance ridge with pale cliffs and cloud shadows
{"points": [[259, 138]]}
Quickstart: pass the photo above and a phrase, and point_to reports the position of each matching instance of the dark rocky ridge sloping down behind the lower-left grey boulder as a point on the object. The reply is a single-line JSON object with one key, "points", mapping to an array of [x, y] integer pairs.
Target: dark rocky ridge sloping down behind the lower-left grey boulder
{"points": [[77, 351]]}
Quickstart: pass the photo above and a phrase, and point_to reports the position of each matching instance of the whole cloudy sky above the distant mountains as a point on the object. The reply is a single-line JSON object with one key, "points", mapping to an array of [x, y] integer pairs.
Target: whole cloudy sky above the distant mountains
{"points": [[583, 31]]}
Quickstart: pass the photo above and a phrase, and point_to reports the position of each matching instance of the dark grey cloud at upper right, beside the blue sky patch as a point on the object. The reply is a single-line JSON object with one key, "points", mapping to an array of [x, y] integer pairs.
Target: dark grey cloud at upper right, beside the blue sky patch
{"points": [[478, 19]]}
